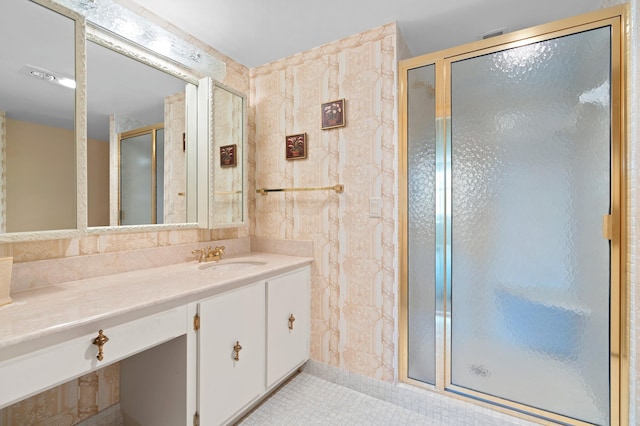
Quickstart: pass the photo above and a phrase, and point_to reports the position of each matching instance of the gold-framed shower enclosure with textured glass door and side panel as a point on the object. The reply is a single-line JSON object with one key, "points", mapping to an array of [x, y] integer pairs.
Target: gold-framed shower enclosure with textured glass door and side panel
{"points": [[512, 206]]}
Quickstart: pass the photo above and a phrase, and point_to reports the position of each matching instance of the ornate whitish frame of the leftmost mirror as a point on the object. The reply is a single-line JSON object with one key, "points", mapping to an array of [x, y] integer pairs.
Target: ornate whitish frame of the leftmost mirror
{"points": [[80, 135]]}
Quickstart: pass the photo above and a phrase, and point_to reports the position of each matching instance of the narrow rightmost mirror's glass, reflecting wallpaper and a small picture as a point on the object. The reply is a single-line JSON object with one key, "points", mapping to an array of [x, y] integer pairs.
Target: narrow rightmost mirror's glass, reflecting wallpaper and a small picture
{"points": [[228, 206]]}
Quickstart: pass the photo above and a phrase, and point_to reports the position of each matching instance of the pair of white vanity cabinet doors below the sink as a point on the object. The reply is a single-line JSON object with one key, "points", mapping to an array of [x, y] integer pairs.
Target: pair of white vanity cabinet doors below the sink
{"points": [[269, 320]]}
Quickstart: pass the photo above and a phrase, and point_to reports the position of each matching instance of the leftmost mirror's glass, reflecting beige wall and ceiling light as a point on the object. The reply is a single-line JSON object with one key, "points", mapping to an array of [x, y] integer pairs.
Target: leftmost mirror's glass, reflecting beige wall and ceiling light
{"points": [[37, 117]]}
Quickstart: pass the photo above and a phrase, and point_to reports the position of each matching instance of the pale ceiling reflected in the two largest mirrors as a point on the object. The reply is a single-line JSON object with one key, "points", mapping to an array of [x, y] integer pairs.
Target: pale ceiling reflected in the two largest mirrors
{"points": [[116, 84]]}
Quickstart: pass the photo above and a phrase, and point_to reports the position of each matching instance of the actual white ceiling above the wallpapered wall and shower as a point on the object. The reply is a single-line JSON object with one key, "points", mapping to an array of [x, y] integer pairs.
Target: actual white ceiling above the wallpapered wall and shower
{"points": [[256, 32]]}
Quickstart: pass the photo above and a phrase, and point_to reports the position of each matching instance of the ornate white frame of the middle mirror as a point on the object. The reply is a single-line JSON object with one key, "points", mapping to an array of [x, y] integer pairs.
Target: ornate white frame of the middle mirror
{"points": [[127, 48]]}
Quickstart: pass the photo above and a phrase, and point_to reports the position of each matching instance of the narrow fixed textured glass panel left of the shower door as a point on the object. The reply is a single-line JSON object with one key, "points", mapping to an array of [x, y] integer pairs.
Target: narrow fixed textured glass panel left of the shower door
{"points": [[421, 205]]}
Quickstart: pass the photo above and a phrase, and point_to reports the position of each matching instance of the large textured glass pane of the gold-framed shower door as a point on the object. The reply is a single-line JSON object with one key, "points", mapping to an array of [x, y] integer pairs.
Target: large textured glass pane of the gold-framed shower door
{"points": [[529, 267]]}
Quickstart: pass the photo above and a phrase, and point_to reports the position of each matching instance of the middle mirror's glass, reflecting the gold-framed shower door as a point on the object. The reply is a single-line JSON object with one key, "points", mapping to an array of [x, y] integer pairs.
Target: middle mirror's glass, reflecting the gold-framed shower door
{"points": [[137, 174]]}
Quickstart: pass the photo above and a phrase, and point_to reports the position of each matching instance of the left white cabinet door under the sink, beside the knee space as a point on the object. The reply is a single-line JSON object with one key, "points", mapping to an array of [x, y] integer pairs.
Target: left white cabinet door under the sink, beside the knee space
{"points": [[227, 384]]}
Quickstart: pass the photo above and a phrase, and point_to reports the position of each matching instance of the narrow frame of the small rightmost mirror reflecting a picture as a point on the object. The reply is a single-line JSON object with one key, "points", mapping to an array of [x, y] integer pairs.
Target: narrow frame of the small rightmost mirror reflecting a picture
{"points": [[212, 159]]}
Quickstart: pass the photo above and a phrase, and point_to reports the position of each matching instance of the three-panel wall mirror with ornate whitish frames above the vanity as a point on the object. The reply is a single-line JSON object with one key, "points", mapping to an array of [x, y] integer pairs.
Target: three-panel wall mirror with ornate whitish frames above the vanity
{"points": [[98, 134]]}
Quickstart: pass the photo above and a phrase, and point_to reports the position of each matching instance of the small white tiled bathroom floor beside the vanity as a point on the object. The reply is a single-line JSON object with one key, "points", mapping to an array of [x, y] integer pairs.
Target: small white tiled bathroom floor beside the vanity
{"points": [[308, 400]]}
